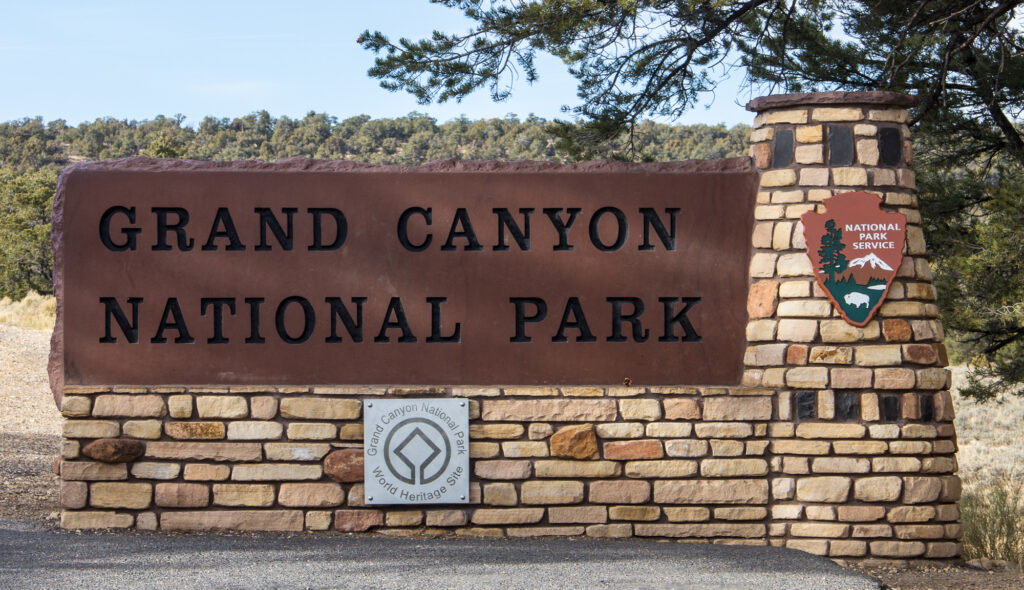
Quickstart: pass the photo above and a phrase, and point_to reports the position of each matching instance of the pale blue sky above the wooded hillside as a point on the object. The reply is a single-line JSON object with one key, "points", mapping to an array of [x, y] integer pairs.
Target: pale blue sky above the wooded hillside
{"points": [[81, 61]]}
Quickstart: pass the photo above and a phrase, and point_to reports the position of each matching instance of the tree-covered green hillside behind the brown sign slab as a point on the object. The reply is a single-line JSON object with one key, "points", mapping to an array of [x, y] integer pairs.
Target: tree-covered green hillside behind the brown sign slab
{"points": [[33, 152]]}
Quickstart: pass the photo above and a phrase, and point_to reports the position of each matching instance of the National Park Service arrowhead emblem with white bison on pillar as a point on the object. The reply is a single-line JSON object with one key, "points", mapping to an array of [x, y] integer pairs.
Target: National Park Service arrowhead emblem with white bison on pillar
{"points": [[857, 249]]}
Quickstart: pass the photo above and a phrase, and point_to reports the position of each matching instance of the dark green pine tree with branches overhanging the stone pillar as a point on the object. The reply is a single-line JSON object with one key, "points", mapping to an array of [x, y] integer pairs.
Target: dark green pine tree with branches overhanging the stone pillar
{"points": [[633, 59]]}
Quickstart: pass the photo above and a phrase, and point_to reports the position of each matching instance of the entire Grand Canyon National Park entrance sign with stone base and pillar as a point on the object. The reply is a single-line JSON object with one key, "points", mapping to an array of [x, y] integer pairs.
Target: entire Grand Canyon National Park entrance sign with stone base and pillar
{"points": [[732, 352]]}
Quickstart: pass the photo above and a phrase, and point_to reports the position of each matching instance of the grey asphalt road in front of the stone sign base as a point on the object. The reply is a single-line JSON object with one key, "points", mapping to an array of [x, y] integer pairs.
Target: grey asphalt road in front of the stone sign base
{"points": [[31, 558]]}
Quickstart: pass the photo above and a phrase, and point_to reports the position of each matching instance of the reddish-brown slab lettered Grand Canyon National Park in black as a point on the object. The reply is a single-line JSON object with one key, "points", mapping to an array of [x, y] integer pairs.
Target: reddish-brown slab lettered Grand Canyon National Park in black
{"points": [[307, 273]]}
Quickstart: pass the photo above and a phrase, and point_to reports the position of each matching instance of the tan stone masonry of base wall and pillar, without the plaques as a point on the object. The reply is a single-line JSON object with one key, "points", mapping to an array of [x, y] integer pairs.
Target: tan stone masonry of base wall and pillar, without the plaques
{"points": [[839, 442]]}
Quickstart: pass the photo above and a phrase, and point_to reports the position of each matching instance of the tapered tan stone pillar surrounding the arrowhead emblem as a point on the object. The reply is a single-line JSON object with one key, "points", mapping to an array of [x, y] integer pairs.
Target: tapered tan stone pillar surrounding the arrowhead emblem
{"points": [[863, 447]]}
